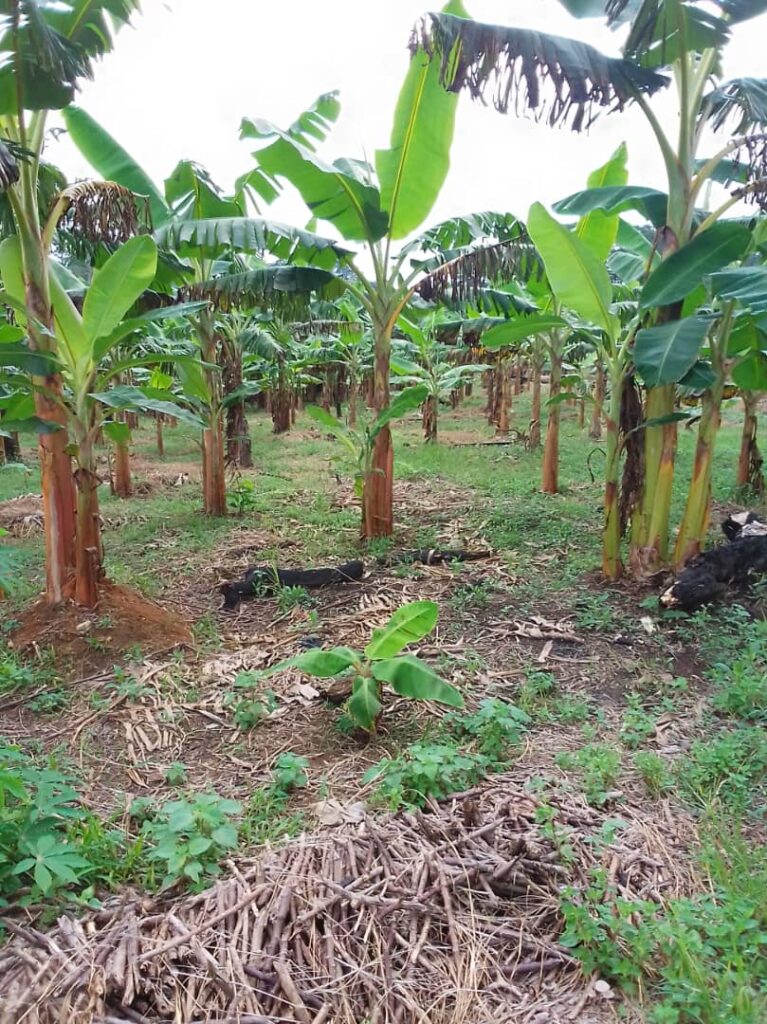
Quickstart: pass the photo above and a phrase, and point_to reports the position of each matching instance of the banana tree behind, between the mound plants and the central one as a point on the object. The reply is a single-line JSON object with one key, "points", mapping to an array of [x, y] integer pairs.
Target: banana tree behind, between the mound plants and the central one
{"points": [[206, 230]]}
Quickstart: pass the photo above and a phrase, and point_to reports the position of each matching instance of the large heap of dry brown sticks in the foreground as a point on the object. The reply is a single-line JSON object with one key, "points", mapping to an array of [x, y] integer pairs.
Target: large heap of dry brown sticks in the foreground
{"points": [[452, 915]]}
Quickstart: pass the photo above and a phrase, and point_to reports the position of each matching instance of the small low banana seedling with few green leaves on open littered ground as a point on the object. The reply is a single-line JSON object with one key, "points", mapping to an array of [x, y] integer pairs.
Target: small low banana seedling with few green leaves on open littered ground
{"points": [[381, 663]]}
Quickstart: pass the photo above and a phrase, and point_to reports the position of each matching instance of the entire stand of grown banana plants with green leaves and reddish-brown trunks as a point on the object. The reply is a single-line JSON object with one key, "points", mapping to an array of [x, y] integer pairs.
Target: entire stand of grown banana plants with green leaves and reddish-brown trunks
{"points": [[123, 296]]}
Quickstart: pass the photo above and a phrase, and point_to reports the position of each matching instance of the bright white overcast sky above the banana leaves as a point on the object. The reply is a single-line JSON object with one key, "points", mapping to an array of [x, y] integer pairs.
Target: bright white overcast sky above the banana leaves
{"points": [[182, 78]]}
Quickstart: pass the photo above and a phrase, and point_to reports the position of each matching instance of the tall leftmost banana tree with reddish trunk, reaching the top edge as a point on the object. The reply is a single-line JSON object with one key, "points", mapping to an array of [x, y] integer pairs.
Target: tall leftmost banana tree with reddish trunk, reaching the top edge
{"points": [[50, 48]]}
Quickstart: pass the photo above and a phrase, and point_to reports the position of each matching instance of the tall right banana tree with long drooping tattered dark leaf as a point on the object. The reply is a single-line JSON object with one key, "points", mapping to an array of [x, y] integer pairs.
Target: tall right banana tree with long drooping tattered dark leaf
{"points": [[570, 82]]}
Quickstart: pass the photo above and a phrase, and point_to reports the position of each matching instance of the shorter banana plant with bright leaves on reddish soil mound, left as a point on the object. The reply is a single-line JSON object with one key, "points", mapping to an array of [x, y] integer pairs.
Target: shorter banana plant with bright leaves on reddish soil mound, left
{"points": [[83, 363]]}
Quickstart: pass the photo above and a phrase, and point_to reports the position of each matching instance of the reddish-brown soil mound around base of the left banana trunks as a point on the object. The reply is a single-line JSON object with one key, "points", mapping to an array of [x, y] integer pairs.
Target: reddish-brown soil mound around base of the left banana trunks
{"points": [[91, 637]]}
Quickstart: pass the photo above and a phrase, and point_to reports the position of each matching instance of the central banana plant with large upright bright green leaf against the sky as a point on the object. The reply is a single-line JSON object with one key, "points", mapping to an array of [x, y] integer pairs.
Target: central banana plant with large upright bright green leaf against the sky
{"points": [[379, 207]]}
